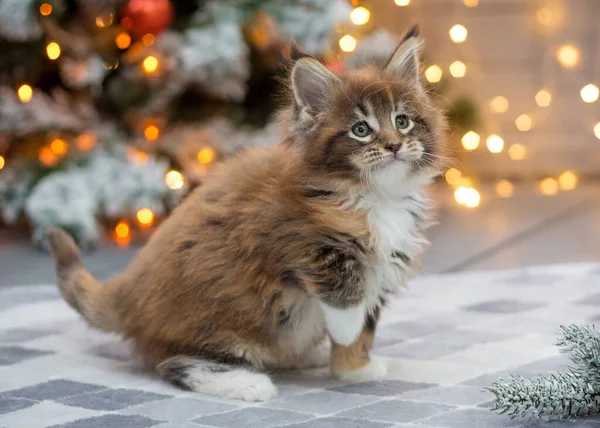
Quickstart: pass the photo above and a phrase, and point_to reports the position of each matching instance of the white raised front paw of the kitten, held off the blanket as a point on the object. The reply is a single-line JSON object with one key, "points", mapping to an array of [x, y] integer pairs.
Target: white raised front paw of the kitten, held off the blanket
{"points": [[344, 325]]}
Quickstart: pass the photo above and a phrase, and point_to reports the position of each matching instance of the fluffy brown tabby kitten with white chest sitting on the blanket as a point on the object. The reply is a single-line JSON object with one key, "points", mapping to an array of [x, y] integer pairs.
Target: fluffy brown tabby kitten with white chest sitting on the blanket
{"points": [[283, 247]]}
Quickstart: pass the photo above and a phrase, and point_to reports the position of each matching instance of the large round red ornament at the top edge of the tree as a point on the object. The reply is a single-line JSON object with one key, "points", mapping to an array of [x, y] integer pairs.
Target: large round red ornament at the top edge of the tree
{"points": [[141, 17]]}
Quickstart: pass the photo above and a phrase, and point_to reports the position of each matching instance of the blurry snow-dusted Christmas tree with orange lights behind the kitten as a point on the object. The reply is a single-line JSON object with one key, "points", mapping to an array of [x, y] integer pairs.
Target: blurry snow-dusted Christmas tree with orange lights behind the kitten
{"points": [[112, 110]]}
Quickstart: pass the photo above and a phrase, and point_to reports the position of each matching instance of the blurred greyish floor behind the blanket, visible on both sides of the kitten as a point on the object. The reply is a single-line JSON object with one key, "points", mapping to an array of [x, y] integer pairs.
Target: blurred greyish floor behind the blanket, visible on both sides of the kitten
{"points": [[526, 229]]}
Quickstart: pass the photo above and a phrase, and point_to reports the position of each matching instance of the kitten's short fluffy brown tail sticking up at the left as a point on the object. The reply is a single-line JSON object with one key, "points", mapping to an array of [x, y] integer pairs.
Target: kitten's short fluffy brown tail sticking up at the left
{"points": [[84, 293]]}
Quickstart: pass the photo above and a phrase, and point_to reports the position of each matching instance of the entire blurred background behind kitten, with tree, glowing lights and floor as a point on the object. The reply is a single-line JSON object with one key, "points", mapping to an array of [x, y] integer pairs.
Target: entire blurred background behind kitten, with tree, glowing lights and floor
{"points": [[111, 111]]}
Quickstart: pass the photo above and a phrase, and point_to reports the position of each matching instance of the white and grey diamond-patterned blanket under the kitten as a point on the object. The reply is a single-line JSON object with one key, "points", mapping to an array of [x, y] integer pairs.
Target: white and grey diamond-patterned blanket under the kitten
{"points": [[443, 341]]}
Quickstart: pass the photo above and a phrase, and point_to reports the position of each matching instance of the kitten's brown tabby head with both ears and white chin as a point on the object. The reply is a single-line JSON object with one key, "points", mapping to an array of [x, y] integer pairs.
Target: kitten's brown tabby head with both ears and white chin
{"points": [[373, 126]]}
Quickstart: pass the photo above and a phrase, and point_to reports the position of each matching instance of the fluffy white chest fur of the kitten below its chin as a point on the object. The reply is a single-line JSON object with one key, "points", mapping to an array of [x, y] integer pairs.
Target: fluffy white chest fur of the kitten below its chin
{"points": [[395, 240]]}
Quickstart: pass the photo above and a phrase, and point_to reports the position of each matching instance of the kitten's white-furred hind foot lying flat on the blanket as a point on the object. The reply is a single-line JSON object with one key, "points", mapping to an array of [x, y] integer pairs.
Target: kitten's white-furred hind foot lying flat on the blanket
{"points": [[218, 379]]}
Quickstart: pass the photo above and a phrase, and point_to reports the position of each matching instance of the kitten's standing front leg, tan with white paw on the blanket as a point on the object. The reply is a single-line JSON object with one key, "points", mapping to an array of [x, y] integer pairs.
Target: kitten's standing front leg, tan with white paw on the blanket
{"points": [[354, 362]]}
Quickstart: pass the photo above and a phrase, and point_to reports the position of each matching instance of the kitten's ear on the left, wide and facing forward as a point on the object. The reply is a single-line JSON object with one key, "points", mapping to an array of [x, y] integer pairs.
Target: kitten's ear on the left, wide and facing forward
{"points": [[311, 83]]}
